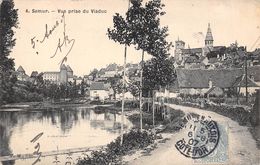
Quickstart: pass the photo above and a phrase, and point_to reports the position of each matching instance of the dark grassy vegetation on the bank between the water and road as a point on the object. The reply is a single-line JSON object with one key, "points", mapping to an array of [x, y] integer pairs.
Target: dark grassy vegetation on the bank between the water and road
{"points": [[134, 139]]}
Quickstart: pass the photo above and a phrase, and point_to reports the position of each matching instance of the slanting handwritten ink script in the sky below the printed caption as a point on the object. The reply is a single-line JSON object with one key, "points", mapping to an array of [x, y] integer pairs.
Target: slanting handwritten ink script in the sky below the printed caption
{"points": [[63, 42]]}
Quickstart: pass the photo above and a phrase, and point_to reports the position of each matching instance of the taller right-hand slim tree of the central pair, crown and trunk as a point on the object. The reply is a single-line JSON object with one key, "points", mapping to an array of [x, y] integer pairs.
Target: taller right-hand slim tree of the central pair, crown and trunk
{"points": [[147, 33]]}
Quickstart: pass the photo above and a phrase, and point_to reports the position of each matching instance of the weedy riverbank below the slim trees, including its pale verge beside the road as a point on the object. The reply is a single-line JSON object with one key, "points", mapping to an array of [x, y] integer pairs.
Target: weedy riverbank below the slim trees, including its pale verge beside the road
{"points": [[136, 142]]}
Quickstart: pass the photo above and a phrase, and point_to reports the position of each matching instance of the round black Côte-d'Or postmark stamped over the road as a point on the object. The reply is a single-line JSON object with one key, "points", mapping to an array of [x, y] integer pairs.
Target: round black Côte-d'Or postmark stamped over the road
{"points": [[200, 136]]}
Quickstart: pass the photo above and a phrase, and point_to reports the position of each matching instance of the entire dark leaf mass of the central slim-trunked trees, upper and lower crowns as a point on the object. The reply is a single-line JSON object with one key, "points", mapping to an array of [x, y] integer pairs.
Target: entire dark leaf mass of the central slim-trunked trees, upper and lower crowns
{"points": [[141, 27]]}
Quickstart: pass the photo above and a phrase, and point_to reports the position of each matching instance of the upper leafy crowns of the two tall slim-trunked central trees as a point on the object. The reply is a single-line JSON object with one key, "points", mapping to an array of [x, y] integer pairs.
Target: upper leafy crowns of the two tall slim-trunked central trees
{"points": [[141, 27]]}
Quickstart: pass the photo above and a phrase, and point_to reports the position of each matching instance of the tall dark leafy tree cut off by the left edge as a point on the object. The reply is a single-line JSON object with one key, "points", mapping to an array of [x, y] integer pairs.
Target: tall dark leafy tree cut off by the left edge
{"points": [[8, 21]]}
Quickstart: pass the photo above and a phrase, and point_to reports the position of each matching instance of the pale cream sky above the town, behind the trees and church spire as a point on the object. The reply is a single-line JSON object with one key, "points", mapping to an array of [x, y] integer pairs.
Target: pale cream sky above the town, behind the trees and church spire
{"points": [[89, 46]]}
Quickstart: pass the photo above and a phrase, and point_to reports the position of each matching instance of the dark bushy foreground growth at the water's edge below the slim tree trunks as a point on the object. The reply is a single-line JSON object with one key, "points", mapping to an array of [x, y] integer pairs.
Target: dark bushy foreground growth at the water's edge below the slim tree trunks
{"points": [[135, 139]]}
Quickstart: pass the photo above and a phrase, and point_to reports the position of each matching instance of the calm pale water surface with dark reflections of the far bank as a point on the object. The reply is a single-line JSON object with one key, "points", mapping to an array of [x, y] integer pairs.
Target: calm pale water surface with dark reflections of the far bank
{"points": [[63, 129]]}
